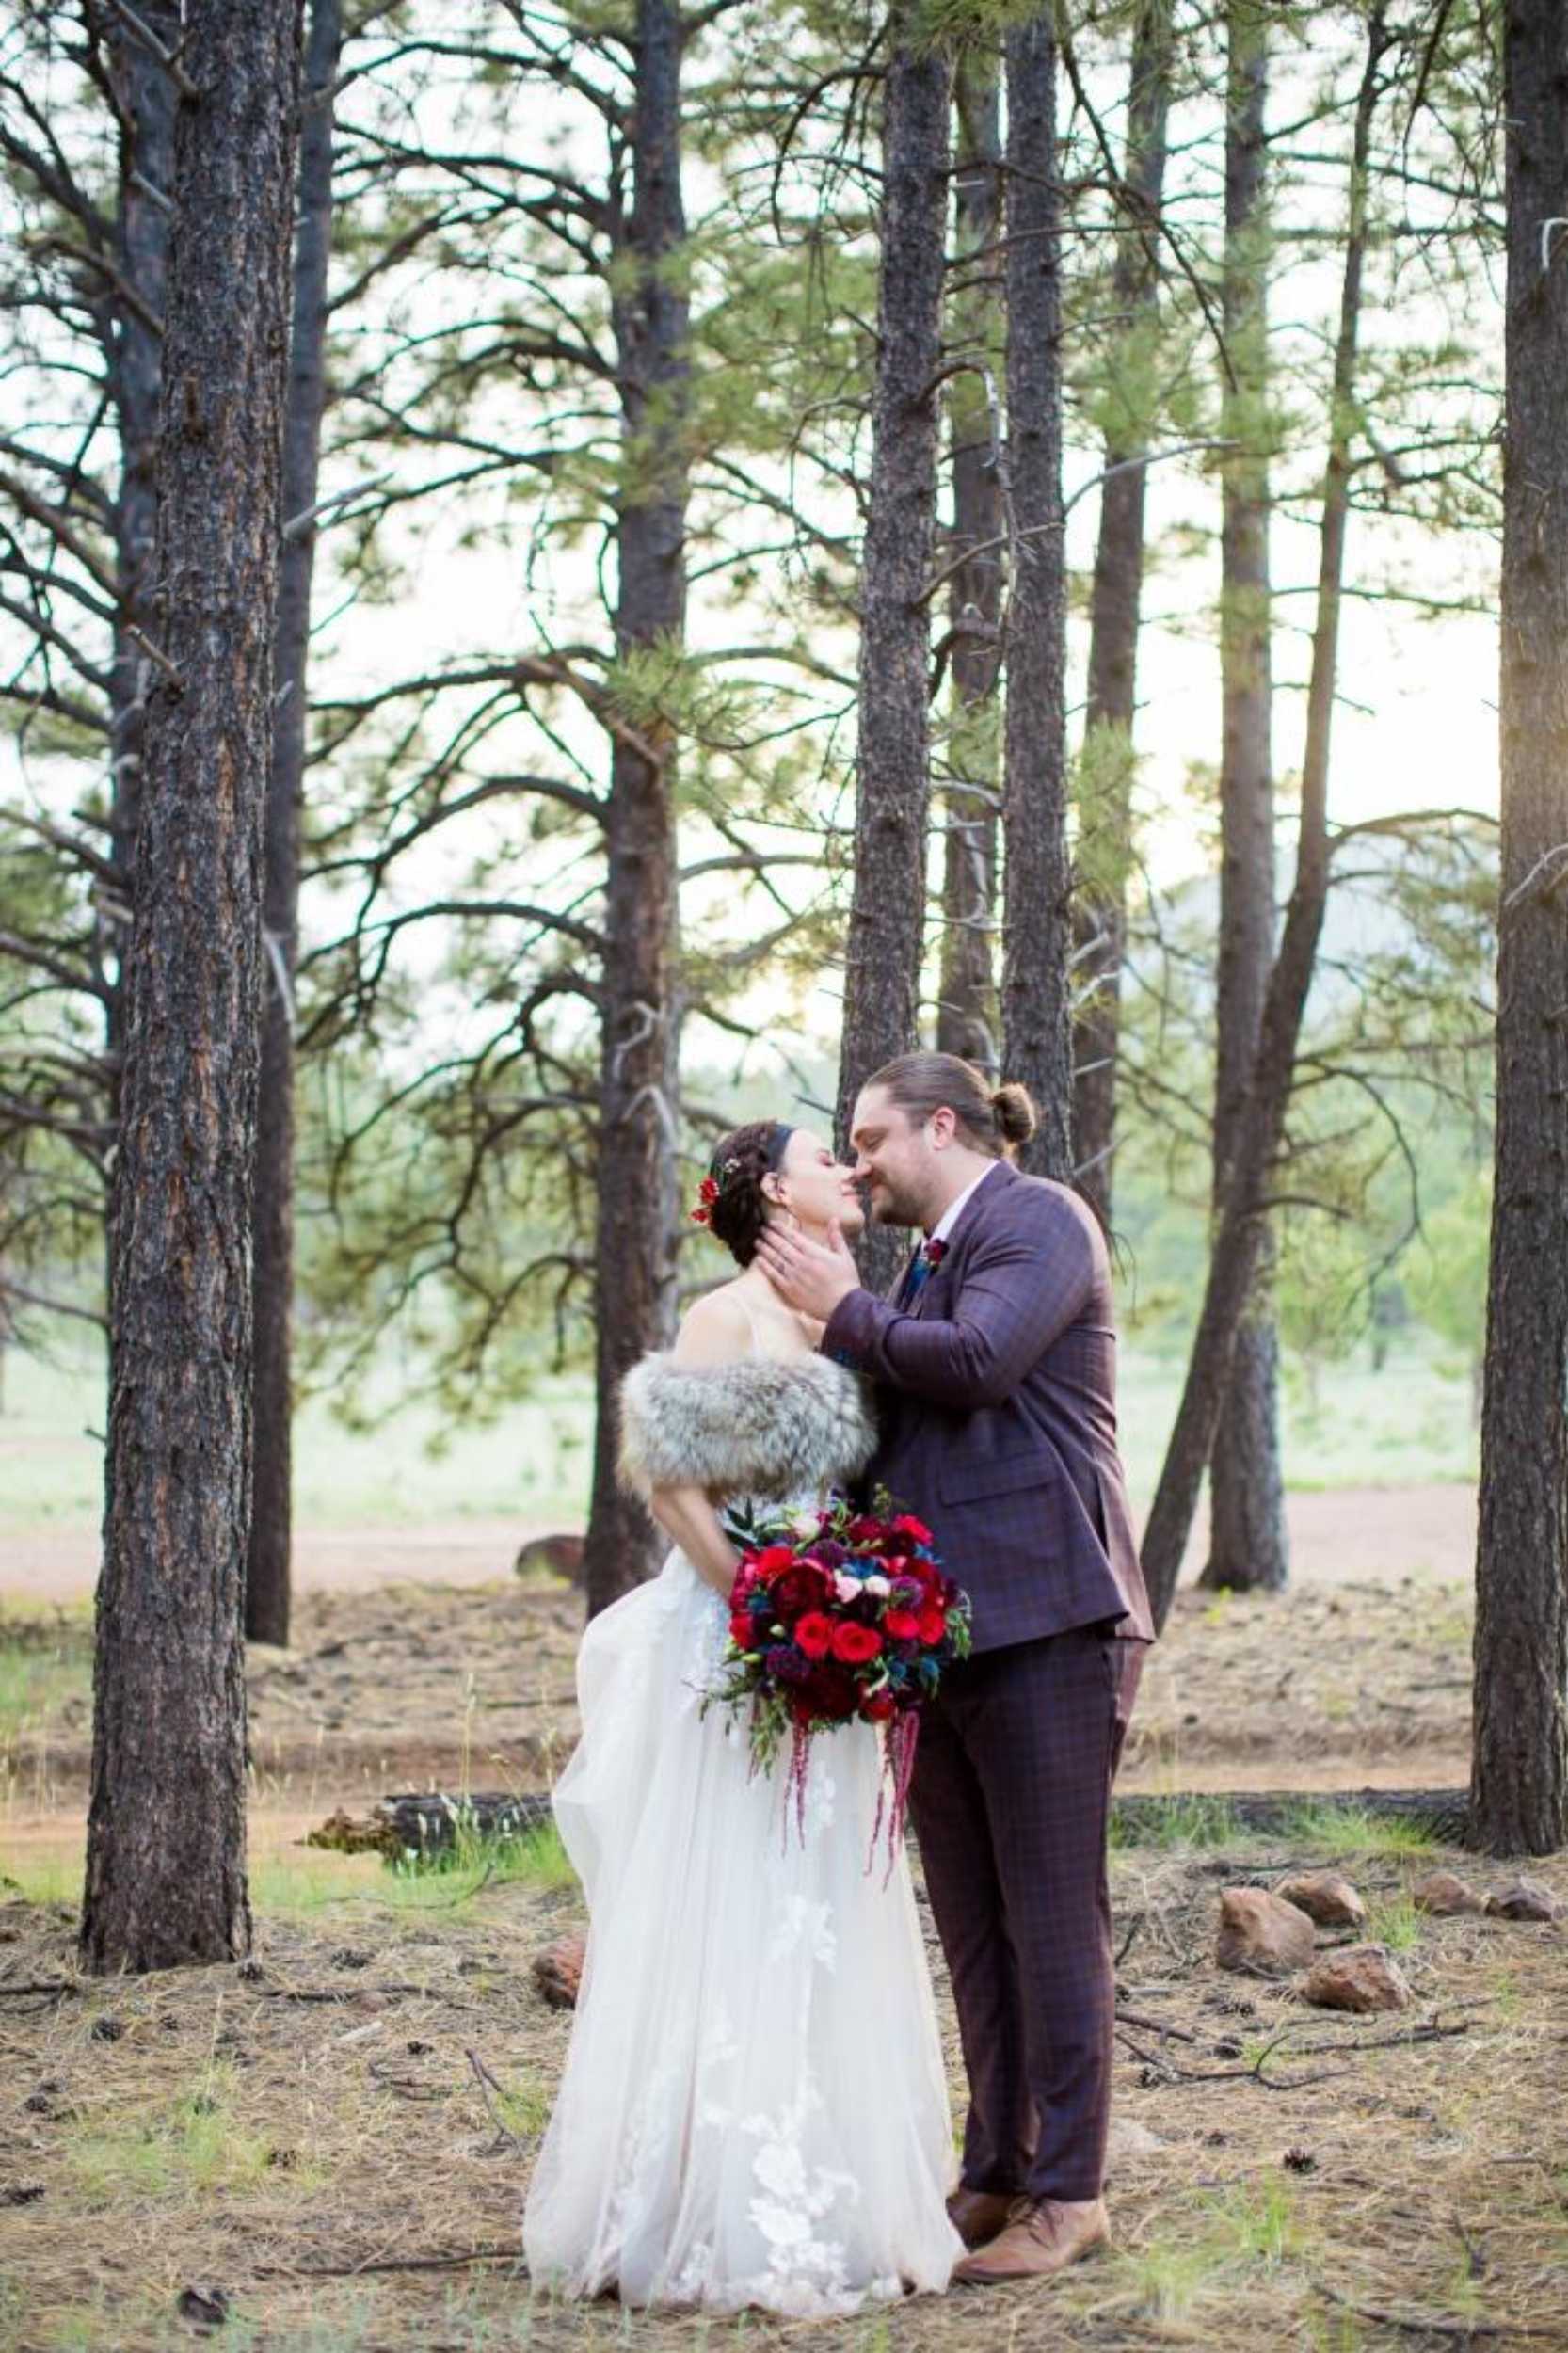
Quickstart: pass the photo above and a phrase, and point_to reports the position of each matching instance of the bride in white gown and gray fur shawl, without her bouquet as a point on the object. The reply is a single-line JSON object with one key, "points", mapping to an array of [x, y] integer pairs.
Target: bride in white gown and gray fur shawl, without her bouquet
{"points": [[755, 2109]]}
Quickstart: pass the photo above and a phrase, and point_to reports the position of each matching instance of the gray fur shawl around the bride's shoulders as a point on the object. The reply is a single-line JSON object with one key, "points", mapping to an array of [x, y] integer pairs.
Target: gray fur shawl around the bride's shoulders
{"points": [[757, 1427]]}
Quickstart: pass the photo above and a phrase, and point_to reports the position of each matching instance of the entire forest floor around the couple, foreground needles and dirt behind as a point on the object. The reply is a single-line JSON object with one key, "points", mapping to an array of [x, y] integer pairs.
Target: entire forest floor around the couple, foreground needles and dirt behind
{"points": [[338, 2135]]}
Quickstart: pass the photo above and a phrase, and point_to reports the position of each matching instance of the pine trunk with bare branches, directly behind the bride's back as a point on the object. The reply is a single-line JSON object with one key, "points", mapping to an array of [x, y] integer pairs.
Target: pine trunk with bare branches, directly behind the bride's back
{"points": [[639, 1074]]}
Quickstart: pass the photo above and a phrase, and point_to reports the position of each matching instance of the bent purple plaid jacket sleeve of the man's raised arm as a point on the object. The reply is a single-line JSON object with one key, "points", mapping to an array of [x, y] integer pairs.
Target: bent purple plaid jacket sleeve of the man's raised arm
{"points": [[1018, 1293]]}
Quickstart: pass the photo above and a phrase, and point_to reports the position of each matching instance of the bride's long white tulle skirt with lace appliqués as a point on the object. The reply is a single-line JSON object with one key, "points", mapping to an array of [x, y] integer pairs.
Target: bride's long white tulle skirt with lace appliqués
{"points": [[755, 2107]]}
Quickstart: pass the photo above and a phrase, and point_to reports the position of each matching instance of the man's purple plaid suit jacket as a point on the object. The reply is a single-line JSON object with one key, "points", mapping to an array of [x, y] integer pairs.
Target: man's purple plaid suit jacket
{"points": [[997, 1389]]}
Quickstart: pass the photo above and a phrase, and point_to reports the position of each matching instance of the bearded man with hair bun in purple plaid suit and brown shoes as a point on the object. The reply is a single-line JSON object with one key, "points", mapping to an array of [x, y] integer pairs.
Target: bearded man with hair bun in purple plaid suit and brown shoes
{"points": [[997, 1366]]}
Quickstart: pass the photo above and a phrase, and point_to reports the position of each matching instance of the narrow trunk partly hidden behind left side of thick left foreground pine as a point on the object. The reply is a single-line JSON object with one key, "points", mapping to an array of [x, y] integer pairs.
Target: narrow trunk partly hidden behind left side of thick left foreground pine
{"points": [[145, 98]]}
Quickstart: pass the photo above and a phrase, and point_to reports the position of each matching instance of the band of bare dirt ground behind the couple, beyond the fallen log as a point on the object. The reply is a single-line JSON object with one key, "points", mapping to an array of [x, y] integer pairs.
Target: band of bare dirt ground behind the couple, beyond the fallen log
{"points": [[399, 1686]]}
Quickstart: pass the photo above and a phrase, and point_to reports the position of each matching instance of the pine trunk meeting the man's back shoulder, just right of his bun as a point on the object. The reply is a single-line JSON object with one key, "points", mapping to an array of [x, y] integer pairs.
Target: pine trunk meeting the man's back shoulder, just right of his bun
{"points": [[1105, 808]]}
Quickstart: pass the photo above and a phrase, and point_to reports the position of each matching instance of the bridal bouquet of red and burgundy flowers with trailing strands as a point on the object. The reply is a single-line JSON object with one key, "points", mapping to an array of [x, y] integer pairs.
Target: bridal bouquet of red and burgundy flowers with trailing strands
{"points": [[839, 1618]]}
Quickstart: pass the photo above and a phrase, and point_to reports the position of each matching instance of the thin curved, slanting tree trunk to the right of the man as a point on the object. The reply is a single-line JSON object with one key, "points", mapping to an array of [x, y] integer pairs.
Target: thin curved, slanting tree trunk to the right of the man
{"points": [[1240, 1229]]}
